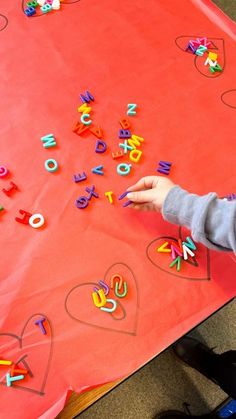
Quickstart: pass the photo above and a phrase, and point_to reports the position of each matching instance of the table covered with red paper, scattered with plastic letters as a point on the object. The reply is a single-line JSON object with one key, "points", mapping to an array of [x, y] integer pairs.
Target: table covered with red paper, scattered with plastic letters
{"points": [[122, 52]]}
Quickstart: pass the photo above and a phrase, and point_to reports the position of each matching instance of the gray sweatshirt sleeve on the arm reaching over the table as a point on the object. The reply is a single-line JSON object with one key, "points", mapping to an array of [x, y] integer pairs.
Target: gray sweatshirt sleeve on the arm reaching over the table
{"points": [[211, 220]]}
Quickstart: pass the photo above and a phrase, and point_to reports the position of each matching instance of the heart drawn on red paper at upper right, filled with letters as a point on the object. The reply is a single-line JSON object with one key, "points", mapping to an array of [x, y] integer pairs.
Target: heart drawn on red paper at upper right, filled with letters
{"points": [[217, 46]]}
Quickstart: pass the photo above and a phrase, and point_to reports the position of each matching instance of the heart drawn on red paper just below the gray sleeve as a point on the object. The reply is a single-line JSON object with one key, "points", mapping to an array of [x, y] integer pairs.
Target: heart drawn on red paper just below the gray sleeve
{"points": [[197, 268]]}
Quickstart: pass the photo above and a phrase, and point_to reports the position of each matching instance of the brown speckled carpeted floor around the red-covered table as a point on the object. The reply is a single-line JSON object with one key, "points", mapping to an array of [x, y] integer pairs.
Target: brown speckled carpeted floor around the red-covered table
{"points": [[166, 383]]}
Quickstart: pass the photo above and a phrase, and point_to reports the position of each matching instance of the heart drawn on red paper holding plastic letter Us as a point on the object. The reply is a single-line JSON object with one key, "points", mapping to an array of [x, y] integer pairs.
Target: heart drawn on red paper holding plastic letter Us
{"points": [[80, 307]]}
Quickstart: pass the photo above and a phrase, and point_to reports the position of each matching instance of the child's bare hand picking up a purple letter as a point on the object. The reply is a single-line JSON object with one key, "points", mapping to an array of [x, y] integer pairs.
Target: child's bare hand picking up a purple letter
{"points": [[149, 193]]}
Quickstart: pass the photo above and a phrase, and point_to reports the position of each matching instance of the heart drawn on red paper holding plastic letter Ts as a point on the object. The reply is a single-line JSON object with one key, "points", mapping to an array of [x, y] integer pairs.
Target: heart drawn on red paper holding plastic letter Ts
{"points": [[31, 350]]}
